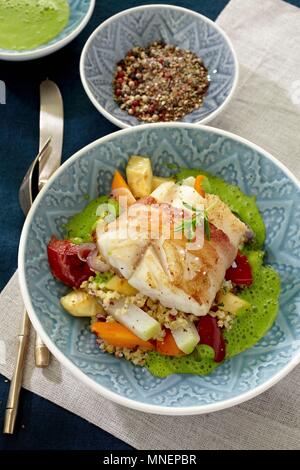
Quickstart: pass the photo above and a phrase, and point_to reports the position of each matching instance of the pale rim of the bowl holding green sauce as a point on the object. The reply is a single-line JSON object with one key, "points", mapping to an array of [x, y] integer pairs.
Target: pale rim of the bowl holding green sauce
{"points": [[42, 51]]}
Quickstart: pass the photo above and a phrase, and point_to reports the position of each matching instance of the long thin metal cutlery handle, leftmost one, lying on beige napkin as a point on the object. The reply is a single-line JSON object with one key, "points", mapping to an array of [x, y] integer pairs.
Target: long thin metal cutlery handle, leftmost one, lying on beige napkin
{"points": [[16, 381]]}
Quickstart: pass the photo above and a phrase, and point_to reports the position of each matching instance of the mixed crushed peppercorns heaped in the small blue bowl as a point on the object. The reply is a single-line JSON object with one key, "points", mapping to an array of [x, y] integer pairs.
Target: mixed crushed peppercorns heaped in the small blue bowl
{"points": [[160, 82]]}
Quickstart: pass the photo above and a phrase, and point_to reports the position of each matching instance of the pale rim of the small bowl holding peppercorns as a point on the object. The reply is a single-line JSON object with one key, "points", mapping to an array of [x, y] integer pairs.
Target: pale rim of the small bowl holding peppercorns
{"points": [[119, 122]]}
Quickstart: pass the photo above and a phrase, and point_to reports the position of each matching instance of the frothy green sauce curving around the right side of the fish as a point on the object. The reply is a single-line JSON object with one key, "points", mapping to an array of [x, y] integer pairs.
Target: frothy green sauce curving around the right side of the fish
{"points": [[250, 324]]}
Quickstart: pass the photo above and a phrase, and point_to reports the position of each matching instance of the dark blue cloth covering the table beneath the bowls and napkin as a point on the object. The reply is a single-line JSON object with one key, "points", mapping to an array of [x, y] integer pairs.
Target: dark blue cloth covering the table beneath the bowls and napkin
{"points": [[41, 424]]}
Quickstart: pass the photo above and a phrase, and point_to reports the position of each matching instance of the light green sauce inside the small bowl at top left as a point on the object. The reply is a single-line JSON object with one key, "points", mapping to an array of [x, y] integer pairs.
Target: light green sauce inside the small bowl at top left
{"points": [[26, 24]]}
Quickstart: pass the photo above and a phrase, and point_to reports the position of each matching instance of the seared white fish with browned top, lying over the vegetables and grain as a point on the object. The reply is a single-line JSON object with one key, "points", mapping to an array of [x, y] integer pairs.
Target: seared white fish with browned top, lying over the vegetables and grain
{"points": [[166, 268]]}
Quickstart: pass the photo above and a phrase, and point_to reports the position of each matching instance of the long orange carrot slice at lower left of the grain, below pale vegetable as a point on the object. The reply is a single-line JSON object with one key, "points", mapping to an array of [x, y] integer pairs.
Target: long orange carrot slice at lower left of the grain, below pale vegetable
{"points": [[118, 335]]}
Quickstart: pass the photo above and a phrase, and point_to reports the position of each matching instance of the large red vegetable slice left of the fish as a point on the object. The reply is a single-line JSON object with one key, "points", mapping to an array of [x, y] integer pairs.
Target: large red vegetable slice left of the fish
{"points": [[65, 264]]}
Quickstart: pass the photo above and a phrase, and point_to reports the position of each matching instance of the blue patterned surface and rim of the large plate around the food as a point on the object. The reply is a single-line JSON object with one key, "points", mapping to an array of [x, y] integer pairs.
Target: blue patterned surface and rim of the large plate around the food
{"points": [[90, 172]]}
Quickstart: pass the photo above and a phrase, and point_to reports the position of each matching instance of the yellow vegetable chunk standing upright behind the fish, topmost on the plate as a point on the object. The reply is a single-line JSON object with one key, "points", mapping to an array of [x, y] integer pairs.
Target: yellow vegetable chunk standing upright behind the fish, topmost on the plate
{"points": [[139, 176]]}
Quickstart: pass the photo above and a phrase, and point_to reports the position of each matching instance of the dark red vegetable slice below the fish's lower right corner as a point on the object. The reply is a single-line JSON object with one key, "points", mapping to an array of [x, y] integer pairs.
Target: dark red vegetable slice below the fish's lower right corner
{"points": [[212, 335]]}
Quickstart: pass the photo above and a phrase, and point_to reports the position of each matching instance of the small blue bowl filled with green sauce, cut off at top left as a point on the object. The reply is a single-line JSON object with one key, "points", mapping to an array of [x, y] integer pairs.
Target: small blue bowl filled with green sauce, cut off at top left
{"points": [[35, 28]]}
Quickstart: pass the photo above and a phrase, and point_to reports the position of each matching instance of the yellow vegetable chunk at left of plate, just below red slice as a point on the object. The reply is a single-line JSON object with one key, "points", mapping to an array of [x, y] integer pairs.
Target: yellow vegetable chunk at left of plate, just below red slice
{"points": [[80, 304]]}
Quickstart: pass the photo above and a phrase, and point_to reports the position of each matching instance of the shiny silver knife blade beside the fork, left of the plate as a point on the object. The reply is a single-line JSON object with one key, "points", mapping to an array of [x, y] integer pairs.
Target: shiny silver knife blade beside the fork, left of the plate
{"points": [[51, 125]]}
